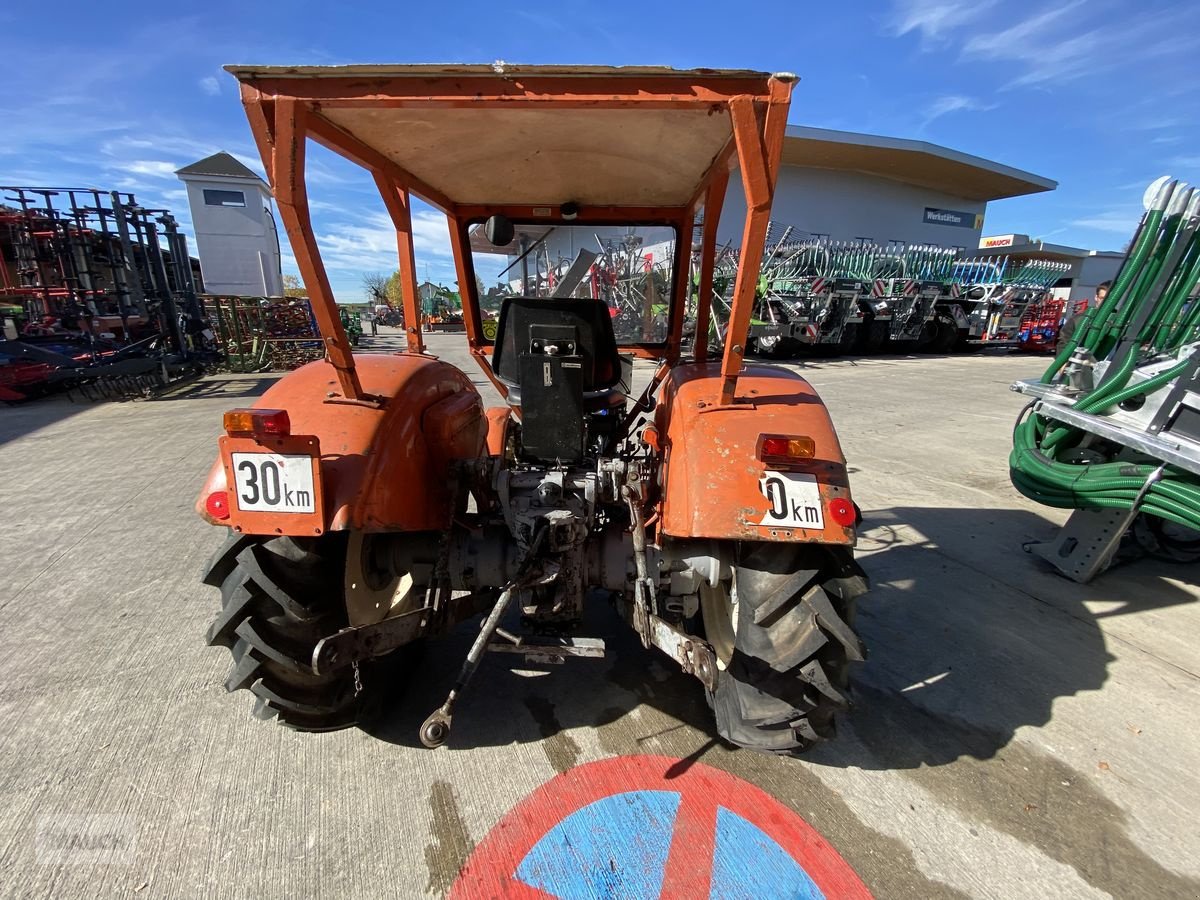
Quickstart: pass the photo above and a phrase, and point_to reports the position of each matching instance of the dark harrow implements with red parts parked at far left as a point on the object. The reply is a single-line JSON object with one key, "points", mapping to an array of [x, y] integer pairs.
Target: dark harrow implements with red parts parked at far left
{"points": [[98, 295]]}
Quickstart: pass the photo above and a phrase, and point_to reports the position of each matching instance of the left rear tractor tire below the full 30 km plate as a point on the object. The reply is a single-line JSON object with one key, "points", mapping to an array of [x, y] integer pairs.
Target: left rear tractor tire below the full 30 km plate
{"points": [[279, 598]]}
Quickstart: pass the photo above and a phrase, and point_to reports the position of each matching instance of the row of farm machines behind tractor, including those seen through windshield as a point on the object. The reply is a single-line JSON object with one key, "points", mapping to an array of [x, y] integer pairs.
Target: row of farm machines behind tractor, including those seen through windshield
{"points": [[817, 297]]}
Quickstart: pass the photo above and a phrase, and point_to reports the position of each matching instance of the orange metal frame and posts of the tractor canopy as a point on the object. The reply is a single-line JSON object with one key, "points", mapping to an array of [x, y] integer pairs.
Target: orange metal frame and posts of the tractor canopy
{"points": [[284, 109]]}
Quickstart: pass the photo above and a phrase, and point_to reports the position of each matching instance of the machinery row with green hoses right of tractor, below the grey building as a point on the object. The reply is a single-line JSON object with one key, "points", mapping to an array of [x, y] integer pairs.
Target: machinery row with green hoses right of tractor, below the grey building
{"points": [[830, 298]]}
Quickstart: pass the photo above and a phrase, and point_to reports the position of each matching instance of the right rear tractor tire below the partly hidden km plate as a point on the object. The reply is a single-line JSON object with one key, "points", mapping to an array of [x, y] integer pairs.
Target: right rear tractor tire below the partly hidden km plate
{"points": [[783, 632]]}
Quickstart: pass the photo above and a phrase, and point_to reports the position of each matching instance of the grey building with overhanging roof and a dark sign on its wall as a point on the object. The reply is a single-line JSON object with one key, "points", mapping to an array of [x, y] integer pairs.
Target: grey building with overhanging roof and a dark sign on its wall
{"points": [[849, 187]]}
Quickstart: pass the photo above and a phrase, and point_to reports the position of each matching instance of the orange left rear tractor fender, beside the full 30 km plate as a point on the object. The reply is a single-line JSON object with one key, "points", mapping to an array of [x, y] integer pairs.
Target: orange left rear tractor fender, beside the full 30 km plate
{"points": [[383, 467]]}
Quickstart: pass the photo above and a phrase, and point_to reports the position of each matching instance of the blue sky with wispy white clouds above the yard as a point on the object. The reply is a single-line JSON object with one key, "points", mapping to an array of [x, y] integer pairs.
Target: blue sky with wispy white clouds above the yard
{"points": [[1101, 97]]}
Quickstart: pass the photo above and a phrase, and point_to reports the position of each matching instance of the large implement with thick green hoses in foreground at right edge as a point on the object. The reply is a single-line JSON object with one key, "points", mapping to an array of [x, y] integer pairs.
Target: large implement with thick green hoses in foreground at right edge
{"points": [[1113, 430]]}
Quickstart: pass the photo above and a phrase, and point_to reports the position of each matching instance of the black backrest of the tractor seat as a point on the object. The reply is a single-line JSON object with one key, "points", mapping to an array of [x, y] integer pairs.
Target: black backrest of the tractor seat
{"points": [[598, 344]]}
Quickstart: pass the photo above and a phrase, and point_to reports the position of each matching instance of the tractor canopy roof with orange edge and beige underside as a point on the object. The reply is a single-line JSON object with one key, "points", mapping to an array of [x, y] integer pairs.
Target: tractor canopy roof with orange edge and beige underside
{"points": [[475, 136]]}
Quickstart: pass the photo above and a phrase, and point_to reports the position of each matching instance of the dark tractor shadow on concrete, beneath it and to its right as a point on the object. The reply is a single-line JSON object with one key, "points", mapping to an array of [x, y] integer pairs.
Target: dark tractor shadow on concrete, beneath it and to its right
{"points": [[965, 649]]}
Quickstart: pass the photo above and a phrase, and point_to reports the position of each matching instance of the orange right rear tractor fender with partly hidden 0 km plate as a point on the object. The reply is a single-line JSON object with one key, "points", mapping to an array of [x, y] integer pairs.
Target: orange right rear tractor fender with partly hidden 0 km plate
{"points": [[713, 482]]}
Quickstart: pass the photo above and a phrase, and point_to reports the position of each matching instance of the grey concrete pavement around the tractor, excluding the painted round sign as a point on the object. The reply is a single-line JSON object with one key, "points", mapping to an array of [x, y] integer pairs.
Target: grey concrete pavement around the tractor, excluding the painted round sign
{"points": [[1016, 736]]}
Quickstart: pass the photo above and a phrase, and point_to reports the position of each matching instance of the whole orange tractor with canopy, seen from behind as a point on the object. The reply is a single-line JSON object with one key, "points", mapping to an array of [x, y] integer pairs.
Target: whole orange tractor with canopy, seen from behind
{"points": [[373, 501]]}
